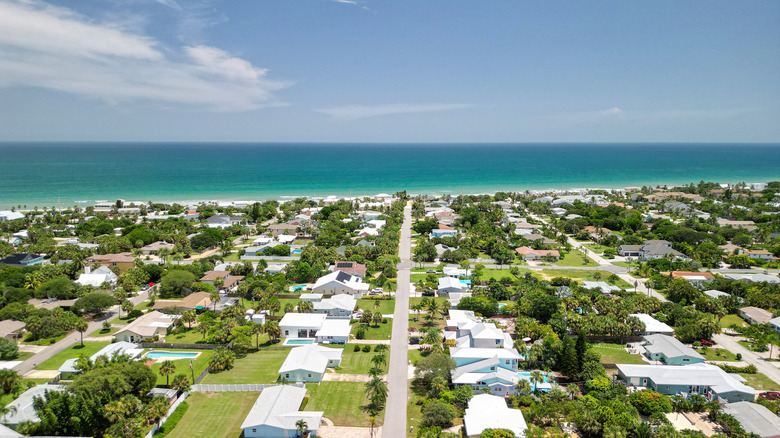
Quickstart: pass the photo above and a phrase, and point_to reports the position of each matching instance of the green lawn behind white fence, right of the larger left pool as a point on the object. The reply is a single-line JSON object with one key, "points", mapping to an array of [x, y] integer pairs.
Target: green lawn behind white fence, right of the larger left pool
{"points": [[258, 367]]}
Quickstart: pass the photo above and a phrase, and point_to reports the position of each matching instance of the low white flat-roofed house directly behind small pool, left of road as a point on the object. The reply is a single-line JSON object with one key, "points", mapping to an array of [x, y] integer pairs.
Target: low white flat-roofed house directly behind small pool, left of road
{"points": [[315, 326]]}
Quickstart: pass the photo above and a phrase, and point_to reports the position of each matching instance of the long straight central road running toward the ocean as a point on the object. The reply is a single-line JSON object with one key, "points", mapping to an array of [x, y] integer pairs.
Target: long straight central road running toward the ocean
{"points": [[397, 394]]}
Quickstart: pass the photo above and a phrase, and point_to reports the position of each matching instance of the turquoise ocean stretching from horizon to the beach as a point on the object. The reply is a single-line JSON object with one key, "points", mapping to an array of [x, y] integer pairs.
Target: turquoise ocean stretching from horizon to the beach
{"points": [[66, 174]]}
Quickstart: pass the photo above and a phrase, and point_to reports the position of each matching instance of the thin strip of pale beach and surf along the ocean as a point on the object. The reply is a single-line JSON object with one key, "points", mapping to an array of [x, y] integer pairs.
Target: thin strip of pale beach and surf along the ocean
{"points": [[239, 199]]}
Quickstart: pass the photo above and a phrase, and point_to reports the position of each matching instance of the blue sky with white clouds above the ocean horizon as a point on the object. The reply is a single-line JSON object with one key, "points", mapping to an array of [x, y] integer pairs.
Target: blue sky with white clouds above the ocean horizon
{"points": [[390, 71]]}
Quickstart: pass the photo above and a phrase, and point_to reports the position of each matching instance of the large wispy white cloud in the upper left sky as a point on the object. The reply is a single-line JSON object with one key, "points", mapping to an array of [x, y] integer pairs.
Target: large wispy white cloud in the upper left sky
{"points": [[56, 48]]}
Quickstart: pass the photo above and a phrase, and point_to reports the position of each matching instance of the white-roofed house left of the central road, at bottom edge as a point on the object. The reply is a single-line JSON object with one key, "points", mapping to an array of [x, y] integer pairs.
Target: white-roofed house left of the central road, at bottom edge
{"points": [[276, 411]]}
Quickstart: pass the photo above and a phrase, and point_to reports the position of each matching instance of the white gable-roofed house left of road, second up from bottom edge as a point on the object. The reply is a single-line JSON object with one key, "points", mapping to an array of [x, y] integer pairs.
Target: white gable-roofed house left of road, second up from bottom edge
{"points": [[308, 363]]}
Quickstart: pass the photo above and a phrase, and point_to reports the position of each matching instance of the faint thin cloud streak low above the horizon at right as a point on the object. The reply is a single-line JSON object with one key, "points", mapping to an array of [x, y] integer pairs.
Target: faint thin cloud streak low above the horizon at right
{"points": [[616, 114]]}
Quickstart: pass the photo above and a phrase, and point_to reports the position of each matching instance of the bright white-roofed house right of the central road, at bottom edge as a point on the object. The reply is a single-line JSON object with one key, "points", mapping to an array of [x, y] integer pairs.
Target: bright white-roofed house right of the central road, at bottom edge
{"points": [[487, 411]]}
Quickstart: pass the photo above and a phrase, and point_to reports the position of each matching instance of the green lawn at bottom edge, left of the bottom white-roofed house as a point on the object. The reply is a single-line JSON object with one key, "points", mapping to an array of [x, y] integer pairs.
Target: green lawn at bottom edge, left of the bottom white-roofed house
{"points": [[214, 414]]}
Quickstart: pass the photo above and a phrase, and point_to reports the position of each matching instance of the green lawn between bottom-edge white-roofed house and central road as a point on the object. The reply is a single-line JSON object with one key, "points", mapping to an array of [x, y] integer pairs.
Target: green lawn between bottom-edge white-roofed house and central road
{"points": [[342, 402]]}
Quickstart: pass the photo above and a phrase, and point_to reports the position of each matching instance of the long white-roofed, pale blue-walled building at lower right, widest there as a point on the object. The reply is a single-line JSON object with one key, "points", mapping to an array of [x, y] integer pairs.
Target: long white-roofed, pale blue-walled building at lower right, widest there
{"points": [[703, 379]]}
